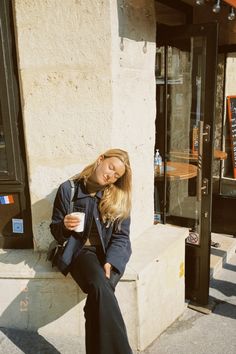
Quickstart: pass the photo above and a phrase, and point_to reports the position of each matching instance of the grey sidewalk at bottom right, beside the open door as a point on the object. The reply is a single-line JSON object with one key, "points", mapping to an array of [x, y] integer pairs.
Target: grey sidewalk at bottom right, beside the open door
{"points": [[197, 333]]}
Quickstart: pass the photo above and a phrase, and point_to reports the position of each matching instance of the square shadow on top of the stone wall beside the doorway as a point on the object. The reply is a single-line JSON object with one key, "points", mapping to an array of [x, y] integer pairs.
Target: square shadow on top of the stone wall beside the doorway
{"points": [[136, 20]]}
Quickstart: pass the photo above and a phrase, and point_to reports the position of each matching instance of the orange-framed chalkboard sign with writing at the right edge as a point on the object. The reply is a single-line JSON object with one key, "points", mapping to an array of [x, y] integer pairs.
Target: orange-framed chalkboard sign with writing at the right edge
{"points": [[231, 104]]}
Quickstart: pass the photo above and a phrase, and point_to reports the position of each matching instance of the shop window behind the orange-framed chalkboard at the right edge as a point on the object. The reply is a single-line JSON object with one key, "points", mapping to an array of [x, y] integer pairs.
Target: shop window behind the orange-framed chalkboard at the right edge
{"points": [[224, 181]]}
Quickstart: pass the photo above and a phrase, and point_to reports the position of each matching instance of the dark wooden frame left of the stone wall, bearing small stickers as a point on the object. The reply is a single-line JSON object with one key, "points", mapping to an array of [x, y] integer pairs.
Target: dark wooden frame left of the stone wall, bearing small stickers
{"points": [[15, 180]]}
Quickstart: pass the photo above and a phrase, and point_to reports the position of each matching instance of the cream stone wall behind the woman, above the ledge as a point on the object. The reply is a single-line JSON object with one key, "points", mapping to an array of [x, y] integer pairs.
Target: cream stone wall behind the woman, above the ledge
{"points": [[86, 72]]}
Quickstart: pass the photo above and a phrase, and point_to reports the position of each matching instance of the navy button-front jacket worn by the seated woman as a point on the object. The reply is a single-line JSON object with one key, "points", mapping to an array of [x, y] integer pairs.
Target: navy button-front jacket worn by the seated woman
{"points": [[115, 242]]}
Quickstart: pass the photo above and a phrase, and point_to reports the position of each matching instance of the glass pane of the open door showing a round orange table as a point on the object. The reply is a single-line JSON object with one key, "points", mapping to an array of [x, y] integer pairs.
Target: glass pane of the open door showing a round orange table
{"points": [[180, 80]]}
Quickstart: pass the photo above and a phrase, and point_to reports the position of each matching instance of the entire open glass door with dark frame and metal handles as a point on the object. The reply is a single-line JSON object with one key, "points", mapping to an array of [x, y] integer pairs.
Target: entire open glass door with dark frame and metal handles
{"points": [[185, 82]]}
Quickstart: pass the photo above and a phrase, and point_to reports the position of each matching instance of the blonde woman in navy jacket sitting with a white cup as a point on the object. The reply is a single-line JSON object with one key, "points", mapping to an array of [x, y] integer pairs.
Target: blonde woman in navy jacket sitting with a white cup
{"points": [[96, 257]]}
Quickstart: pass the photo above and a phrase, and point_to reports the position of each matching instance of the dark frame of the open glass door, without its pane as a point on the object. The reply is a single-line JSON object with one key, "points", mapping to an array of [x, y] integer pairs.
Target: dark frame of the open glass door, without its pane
{"points": [[198, 256]]}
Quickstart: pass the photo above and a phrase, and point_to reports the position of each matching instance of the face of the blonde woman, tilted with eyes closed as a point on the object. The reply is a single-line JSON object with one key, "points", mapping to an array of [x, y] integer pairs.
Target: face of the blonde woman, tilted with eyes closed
{"points": [[108, 170]]}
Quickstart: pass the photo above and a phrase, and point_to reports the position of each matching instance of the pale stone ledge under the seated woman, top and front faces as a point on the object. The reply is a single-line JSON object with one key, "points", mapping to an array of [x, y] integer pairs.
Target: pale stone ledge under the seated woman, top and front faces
{"points": [[35, 297]]}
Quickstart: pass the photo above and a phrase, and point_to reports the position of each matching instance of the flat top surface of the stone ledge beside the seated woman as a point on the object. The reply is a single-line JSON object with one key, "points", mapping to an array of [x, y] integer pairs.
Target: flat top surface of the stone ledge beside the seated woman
{"points": [[147, 249]]}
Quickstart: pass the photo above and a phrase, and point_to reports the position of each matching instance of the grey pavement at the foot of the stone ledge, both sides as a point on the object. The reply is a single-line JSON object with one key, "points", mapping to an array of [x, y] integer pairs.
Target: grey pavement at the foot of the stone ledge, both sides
{"points": [[193, 333]]}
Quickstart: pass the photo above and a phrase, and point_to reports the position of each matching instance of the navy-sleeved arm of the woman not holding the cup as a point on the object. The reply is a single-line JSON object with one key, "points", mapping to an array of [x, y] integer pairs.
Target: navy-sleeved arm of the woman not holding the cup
{"points": [[119, 248]]}
